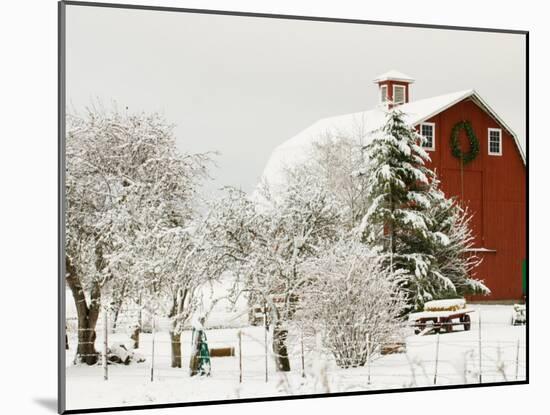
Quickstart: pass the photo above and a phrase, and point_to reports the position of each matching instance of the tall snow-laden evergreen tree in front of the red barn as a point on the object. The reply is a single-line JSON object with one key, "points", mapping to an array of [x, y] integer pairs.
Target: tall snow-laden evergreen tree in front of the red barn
{"points": [[401, 223]]}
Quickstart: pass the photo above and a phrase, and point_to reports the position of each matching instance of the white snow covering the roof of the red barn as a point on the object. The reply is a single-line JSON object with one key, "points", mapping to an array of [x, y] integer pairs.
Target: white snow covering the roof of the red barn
{"points": [[360, 126]]}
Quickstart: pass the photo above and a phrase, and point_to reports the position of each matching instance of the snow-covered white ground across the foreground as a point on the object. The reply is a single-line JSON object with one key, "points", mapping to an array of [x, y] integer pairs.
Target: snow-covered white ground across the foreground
{"points": [[503, 358]]}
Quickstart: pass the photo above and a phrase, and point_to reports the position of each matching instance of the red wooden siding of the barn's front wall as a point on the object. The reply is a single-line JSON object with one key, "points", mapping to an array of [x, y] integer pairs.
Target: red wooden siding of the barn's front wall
{"points": [[494, 191]]}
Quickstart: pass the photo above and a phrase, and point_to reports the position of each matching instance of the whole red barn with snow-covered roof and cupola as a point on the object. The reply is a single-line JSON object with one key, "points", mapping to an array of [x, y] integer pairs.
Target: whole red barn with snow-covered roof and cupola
{"points": [[492, 185]]}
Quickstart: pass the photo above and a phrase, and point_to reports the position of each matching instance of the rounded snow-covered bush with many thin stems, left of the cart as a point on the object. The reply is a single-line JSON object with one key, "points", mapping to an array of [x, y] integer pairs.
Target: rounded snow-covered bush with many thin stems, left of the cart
{"points": [[352, 299]]}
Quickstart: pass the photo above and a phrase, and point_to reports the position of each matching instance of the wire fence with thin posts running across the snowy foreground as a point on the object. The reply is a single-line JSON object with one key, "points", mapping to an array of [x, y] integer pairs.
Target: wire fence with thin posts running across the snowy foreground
{"points": [[436, 355]]}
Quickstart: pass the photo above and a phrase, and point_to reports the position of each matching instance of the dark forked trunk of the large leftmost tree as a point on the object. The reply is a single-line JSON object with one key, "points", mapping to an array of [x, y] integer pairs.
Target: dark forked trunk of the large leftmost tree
{"points": [[87, 315]]}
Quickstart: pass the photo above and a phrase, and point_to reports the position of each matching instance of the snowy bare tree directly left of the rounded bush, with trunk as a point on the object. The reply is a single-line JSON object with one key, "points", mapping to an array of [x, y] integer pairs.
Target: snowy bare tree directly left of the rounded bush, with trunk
{"points": [[266, 240]]}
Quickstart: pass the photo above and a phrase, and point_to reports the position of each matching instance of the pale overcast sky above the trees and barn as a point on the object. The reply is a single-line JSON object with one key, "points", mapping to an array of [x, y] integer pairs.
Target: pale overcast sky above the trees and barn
{"points": [[243, 85]]}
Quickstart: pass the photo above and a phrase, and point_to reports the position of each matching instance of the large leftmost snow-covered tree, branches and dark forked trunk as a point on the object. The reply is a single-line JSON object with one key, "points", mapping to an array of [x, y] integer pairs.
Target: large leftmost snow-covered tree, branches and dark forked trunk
{"points": [[125, 179]]}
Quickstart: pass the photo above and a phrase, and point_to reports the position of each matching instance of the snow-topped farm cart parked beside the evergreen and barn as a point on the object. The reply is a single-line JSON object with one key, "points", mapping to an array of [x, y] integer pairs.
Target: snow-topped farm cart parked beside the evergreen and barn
{"points": [[426, 321]]}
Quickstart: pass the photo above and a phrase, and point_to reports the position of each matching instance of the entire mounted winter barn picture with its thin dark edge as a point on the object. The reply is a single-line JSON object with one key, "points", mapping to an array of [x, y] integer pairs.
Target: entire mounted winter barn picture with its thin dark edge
{"points": [[260, 207]]}
